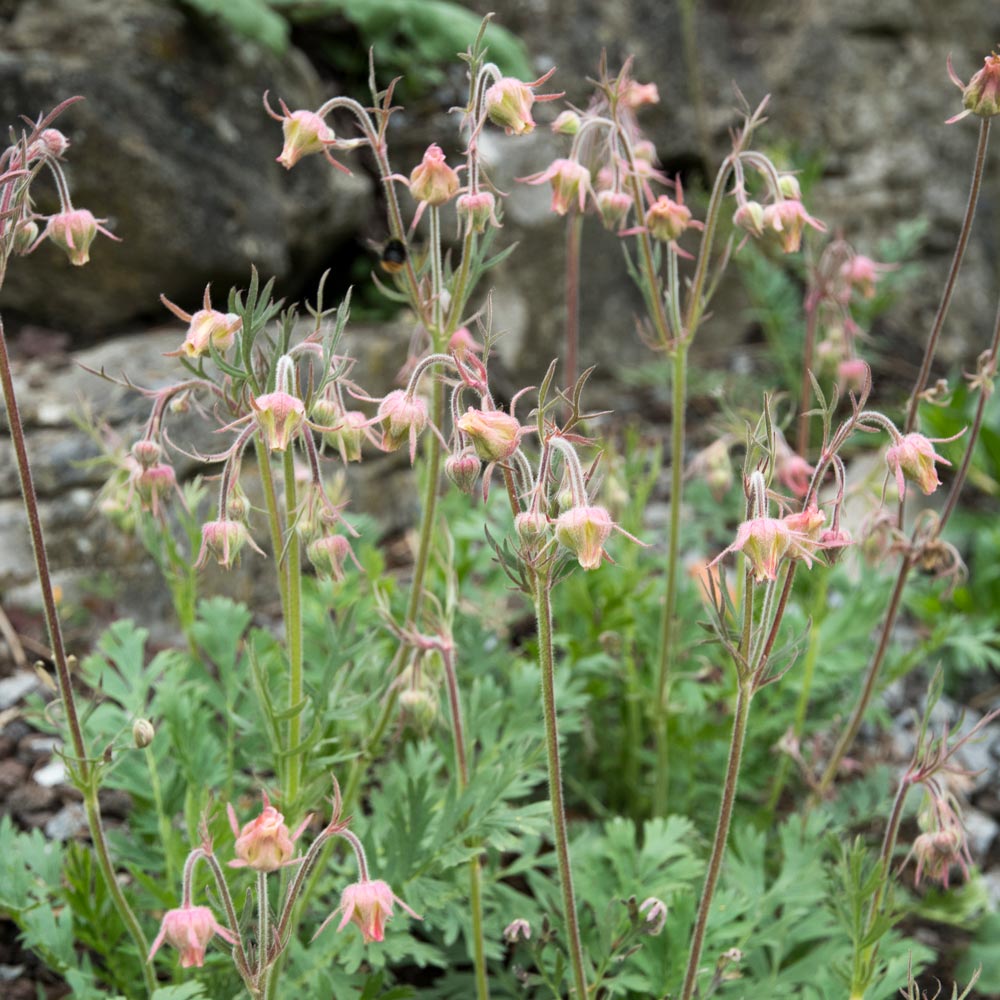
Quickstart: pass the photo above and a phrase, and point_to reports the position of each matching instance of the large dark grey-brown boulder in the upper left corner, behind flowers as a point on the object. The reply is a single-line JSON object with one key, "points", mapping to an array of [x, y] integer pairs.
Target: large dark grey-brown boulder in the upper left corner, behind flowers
{"points": [[173, 147]]}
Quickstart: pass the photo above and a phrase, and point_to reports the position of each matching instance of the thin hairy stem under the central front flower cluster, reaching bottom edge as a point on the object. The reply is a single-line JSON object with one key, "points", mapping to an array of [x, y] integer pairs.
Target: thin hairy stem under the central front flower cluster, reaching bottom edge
{"points": [[541, 586]]}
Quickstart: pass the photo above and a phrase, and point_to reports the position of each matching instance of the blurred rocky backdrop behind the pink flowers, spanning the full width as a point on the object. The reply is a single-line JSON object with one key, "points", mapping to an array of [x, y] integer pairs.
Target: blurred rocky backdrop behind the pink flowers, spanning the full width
{"points": [[173, 147]]}
